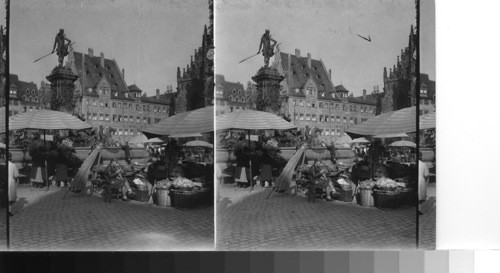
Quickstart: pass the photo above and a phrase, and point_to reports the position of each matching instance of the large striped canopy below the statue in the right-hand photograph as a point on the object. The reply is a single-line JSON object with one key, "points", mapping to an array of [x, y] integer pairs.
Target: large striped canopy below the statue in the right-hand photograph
{"points": [[252, 120]]}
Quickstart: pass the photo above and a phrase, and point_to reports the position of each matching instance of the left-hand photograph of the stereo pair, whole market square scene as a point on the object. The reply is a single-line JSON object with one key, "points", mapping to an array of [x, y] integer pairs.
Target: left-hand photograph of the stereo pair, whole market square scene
{"points": [[111, 125]]}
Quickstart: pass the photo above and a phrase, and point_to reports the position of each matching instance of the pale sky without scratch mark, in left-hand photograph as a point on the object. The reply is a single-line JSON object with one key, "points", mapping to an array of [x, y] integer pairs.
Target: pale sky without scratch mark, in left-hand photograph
{"points": [[148, 39]]}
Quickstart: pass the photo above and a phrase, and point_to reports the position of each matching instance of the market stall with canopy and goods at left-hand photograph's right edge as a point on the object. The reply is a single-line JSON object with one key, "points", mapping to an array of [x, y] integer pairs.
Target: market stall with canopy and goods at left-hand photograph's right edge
{"points": [[177, 180]]}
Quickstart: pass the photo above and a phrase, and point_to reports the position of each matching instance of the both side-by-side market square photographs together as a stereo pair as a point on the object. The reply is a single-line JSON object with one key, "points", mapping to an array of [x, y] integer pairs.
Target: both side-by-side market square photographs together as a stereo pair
{"points": [[242, 125]]}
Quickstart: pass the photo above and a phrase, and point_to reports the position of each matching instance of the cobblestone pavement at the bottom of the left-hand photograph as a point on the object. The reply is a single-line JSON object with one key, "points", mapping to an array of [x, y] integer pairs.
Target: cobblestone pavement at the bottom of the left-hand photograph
{"points": [[44, 221]]}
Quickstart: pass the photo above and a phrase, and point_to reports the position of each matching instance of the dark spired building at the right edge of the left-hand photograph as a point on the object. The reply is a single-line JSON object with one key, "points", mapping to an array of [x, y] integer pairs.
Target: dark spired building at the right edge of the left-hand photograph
{"points": [[195, 84]]}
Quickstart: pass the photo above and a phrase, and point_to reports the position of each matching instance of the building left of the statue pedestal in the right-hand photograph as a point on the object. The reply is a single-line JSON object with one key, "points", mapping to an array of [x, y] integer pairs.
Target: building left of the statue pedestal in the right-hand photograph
{"points": [[229, 96]]}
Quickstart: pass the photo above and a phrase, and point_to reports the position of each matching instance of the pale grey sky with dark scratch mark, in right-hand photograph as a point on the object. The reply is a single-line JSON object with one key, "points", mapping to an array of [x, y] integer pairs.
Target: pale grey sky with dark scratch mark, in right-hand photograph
{"points": [[326, 29]]}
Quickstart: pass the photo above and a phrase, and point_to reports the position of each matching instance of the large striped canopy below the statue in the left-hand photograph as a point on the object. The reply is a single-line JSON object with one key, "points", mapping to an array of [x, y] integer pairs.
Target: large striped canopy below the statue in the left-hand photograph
{"points": [[46, 120]]}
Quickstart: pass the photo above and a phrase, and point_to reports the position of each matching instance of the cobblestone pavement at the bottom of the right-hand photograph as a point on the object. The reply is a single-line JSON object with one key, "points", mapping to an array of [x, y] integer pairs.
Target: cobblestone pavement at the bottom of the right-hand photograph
{"points": [[246, 221]]}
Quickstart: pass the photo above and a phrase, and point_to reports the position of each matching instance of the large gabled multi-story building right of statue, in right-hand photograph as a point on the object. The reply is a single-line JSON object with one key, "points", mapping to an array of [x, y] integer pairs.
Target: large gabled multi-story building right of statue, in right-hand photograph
{"points": [[310, 99]]}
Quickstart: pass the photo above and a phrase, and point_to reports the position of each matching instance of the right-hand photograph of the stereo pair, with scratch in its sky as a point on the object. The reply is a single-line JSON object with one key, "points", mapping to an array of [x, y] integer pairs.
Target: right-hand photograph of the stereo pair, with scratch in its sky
{"points": [[316, 126]]}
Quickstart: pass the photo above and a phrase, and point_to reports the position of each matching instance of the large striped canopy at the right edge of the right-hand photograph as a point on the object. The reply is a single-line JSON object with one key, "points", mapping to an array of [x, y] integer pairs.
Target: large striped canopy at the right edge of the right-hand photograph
{"points": [[392, 123]]}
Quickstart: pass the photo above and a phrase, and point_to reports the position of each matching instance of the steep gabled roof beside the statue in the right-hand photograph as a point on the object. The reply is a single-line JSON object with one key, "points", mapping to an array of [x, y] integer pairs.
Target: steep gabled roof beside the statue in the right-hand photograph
{"points": [[300, 73]]}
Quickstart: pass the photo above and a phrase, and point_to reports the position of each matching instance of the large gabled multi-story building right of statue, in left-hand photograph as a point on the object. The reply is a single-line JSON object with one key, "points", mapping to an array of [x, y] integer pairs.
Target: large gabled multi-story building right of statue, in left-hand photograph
{"points": [[104, 99]]}
